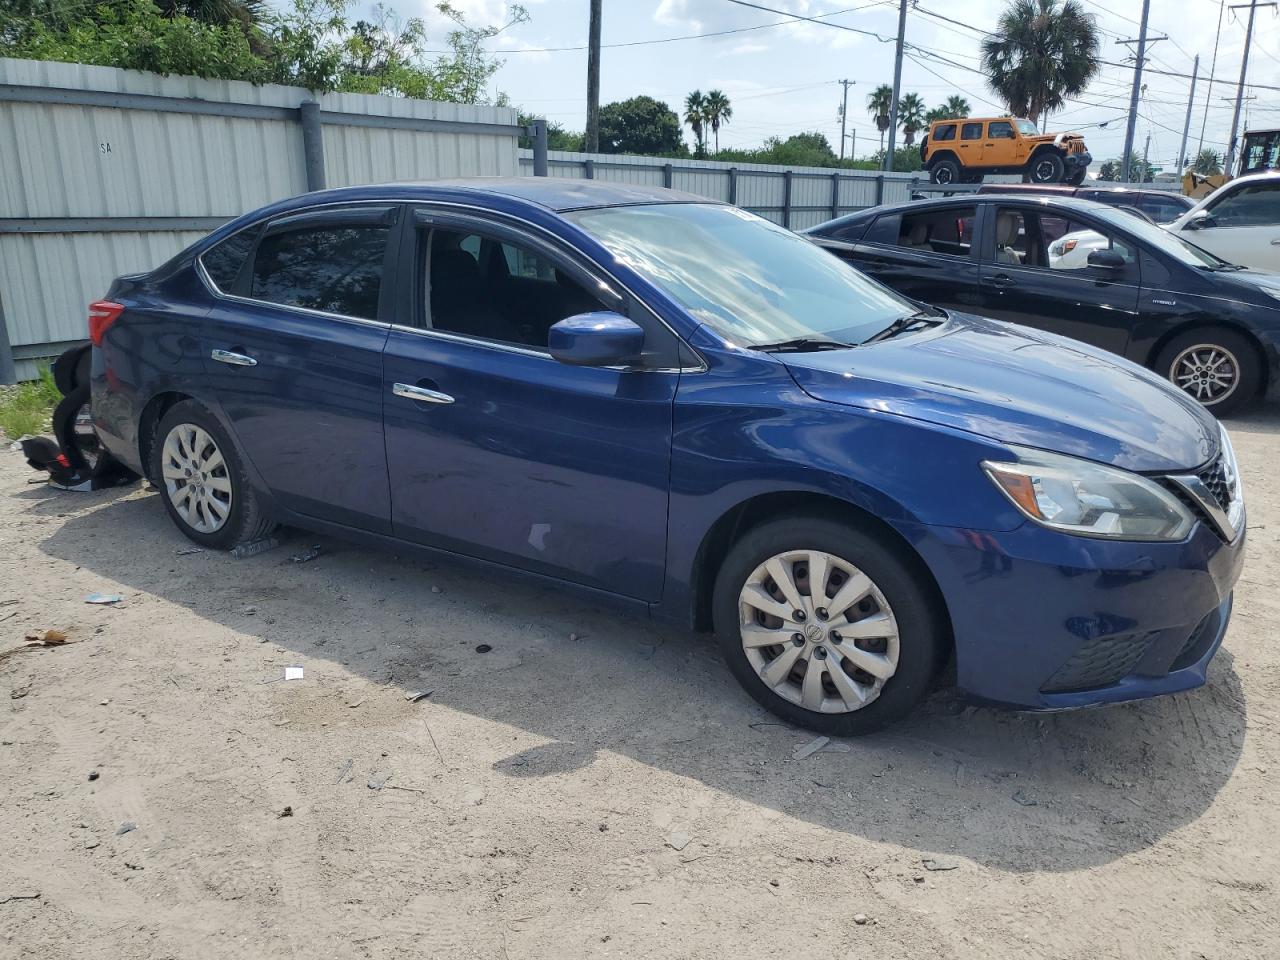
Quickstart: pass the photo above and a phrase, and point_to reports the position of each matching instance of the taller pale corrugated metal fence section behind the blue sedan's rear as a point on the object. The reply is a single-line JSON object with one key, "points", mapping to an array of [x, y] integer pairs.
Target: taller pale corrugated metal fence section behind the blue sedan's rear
{"points": [[108, 172]]}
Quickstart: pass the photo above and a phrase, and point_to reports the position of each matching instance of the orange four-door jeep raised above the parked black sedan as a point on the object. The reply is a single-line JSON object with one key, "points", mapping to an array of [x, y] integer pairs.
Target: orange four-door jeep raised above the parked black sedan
{"points": [[964, 150]]}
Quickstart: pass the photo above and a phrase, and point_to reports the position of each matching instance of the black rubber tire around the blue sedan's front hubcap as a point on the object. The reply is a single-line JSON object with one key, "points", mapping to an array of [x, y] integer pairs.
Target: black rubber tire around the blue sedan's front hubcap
{"points": [[924, 633]]}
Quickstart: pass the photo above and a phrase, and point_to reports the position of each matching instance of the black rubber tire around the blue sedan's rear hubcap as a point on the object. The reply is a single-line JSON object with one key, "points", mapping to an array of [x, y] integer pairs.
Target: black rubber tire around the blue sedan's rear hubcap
{"points": [[245, 520]]}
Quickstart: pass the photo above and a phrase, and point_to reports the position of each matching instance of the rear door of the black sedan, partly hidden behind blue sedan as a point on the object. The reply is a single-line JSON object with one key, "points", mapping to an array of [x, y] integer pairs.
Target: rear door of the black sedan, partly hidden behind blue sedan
{"points": [[926, 253]]}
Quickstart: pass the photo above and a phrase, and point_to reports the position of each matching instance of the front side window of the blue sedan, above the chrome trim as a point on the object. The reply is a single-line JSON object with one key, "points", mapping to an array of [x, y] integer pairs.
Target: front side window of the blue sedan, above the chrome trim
{"points": [[493, 290]]}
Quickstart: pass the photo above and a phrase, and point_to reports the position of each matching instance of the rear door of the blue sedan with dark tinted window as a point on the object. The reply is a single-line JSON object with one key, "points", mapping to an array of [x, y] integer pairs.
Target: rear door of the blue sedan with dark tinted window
{"points": [[294, 350]]}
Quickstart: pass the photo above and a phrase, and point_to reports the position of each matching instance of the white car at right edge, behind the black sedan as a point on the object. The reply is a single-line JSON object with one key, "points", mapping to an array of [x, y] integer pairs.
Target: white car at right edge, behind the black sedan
{"points": [[1238, 222]]}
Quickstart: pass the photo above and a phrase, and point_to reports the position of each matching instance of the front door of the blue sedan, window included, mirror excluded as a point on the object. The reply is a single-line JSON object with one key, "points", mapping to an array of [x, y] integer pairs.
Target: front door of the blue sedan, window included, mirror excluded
{"points": [[513, 456]]}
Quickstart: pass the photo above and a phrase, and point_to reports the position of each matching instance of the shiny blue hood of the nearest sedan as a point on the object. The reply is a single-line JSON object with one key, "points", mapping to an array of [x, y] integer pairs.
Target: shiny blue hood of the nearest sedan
{"points": [[1018, 386]]}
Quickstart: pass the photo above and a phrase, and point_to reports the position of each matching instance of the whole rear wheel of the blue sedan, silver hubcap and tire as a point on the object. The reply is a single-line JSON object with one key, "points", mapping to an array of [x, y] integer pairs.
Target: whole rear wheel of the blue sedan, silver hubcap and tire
{"points": [[203, 481]]}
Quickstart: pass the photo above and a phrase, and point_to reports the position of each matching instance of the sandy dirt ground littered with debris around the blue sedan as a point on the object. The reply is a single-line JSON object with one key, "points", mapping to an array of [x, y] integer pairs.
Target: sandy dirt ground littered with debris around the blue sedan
{"points": [[592, 787]]}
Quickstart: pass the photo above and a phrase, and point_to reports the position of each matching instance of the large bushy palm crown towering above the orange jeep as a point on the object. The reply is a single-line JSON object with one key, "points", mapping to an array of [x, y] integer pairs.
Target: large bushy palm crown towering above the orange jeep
{"points": [[1041, 53]]}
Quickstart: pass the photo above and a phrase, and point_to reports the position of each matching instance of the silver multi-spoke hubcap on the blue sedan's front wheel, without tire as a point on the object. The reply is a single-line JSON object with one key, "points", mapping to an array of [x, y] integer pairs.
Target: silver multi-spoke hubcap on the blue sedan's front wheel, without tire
{"points": [[819, 632]]}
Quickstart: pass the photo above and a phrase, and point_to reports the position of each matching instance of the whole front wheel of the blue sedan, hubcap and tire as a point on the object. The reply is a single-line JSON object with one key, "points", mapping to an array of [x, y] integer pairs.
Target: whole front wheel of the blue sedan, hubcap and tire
{"points": [[826, 627]]}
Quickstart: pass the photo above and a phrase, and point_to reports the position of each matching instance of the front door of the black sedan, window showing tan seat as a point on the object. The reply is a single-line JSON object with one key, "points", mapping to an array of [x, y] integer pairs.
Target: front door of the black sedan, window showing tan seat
{"points": [[1035, 272]]}
